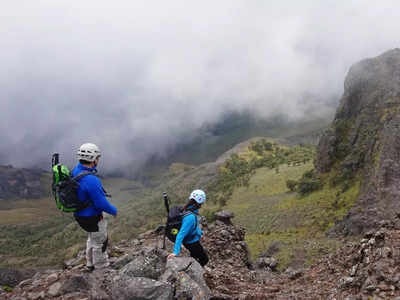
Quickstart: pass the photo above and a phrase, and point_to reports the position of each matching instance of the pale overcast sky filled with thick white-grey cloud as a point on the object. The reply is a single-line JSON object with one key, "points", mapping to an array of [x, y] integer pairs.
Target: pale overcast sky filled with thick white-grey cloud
{"points": [[136, 77]]}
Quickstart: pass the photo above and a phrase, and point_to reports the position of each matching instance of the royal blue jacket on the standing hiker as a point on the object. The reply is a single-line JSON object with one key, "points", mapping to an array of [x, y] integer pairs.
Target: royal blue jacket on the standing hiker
{"points": [[90, 188]]}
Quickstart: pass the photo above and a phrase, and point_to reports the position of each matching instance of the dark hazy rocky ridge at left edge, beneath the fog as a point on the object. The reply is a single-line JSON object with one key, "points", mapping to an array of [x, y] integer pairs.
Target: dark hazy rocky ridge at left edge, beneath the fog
{"points": [[20, 183]]}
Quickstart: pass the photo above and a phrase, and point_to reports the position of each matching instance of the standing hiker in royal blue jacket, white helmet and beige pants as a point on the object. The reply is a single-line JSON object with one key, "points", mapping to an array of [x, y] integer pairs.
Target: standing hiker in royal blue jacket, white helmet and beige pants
{"points": [[91, 218]]}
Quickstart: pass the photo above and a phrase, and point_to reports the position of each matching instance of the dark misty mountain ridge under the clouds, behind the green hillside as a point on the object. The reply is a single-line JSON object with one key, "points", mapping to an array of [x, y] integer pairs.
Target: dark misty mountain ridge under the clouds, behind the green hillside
{"points": [[213, 140]]}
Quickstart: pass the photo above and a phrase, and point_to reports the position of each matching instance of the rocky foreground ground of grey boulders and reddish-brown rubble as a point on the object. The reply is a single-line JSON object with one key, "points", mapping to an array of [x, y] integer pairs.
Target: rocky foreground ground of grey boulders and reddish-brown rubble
{"points": [[368, 269]]}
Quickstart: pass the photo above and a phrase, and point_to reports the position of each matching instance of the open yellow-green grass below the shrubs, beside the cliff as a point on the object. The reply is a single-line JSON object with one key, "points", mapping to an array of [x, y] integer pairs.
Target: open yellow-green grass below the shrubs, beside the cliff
{"points": [[273, 215]]}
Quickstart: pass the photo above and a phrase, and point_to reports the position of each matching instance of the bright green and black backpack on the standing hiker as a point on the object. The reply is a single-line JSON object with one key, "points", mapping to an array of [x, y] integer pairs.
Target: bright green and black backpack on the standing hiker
{"points": [[65, 189]]}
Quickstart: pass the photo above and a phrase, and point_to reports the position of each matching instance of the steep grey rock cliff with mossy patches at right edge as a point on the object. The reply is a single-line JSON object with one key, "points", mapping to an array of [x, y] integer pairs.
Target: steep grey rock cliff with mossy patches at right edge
{"points": [[363, 142]]}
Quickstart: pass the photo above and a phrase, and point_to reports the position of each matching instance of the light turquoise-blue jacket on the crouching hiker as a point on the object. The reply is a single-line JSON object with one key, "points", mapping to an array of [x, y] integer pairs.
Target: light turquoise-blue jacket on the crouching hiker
{"points": [[189, 232]]}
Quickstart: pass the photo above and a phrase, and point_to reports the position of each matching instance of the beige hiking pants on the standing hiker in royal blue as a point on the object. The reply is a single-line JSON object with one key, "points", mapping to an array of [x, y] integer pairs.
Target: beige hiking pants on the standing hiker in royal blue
{"points": [[96, 252]]}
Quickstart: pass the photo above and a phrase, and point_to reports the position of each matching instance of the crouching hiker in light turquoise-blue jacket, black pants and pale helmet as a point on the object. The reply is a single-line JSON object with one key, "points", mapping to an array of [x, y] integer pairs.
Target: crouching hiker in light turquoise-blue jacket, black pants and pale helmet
{"points": [[190, 233]]}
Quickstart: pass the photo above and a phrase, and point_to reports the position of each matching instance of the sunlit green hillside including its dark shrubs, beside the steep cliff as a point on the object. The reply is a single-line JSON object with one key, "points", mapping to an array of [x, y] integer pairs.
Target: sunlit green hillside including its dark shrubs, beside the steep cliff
{"points": [[288, 223]]}
